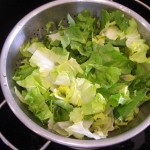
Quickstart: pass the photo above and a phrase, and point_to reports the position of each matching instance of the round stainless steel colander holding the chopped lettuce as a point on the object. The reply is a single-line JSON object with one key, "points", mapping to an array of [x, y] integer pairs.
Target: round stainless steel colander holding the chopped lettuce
{"points": [[33, 25]]}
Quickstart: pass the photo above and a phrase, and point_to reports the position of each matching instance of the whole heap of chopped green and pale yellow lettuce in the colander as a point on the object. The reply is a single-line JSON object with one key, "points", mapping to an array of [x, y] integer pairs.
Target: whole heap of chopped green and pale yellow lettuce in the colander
{"points": [[87, 77]]}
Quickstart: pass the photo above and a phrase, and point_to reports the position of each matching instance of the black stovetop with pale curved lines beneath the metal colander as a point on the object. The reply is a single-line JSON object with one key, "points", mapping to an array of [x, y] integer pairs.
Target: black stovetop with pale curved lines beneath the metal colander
{"points": [[11, 11]]}
